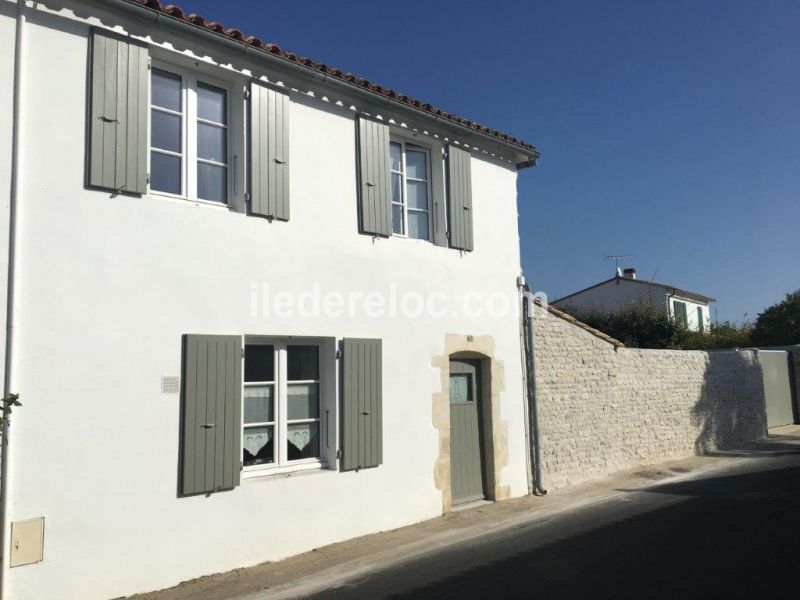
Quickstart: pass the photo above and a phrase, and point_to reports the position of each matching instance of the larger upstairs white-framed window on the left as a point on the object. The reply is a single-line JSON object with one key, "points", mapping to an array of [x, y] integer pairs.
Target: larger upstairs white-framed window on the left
{"points": [[189, 137]]}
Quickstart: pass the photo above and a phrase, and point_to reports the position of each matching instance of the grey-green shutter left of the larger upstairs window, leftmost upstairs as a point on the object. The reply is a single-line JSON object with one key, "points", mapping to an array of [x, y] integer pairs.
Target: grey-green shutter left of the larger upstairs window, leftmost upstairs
{"points": [[117, 153]]}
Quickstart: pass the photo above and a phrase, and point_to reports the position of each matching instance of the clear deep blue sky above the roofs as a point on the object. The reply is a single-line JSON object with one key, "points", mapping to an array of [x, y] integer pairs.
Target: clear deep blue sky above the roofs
{"points": [[669, 130]]}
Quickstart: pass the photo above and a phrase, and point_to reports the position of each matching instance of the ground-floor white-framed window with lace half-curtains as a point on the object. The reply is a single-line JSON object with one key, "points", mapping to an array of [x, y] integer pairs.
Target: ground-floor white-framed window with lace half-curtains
{"points": [[281, 404]]}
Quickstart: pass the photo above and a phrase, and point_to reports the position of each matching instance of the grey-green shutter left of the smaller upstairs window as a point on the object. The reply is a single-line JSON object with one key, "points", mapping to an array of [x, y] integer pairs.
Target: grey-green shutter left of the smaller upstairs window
{"points": [[374, 188]]}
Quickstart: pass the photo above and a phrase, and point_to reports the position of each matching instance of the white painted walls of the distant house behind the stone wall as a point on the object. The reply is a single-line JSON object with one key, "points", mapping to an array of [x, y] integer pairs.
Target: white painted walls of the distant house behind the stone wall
{"points": [[620, 292]]}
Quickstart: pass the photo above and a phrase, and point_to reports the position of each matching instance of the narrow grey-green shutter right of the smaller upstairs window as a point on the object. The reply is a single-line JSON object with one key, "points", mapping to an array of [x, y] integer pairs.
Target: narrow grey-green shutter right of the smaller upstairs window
{"points": [[459, 198]]}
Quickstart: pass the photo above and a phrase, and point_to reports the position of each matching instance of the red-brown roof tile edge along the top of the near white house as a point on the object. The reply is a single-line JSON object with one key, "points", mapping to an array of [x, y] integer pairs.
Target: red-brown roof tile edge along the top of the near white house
{"points": [[357, 82]]}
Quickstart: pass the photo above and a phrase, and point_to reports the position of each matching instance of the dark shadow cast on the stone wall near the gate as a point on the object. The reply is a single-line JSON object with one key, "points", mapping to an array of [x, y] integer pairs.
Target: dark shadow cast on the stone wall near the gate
{"points": [[731, 412]]}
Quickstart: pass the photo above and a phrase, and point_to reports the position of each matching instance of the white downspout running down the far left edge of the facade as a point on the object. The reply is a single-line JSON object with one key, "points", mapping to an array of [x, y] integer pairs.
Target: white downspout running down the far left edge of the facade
{"points": [[6, 471]]}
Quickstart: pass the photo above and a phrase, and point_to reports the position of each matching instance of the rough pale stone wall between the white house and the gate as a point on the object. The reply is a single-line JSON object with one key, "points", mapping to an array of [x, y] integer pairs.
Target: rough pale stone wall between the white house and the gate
{"points": [[604, 409]]}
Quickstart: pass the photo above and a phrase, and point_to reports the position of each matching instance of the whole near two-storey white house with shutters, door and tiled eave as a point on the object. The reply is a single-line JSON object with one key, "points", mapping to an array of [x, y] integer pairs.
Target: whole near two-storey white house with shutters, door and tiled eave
{"points": [[251, 303]]}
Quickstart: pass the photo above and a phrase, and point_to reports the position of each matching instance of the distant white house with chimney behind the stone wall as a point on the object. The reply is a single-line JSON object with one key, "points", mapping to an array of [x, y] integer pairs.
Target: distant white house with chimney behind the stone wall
{"points": [[688, 308]]}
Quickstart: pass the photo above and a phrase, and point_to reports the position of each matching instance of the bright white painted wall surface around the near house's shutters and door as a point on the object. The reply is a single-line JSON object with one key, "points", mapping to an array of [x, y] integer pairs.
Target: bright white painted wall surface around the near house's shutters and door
{"points": [[108, 285]]}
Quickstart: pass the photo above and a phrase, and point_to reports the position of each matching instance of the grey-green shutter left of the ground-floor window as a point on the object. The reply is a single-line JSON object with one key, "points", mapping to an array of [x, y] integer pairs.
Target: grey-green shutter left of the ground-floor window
{"points": [[211, 396]]}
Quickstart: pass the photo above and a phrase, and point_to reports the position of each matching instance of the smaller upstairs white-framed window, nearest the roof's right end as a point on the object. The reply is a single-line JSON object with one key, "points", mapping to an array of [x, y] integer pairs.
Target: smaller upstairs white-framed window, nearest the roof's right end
{"points": [[411, 190]]}
